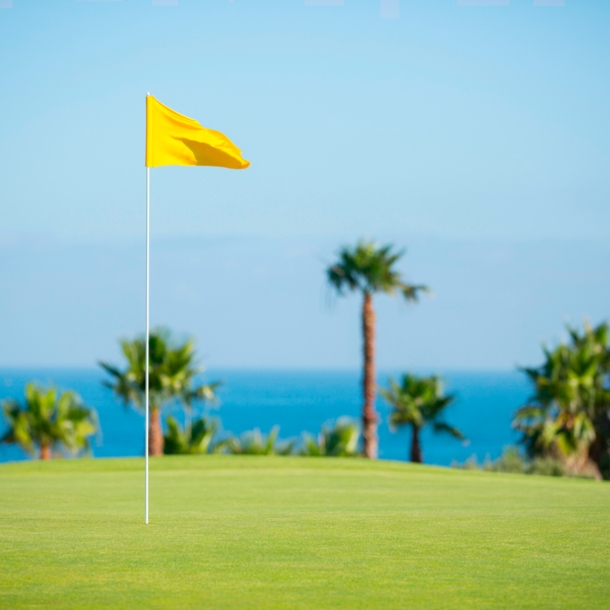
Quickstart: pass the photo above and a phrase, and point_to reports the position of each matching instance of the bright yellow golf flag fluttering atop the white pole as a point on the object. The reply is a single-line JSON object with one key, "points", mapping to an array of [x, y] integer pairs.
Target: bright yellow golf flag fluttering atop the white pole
{"points": [[174, 139]]}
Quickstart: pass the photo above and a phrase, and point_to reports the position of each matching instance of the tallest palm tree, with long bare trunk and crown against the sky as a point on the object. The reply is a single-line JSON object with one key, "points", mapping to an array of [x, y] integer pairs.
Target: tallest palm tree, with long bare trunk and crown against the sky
{"points": [[369, 269]]}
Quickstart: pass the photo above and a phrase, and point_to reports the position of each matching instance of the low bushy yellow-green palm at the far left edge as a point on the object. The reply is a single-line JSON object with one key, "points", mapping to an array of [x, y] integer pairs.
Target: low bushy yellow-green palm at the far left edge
{"points": [[46, 422]]}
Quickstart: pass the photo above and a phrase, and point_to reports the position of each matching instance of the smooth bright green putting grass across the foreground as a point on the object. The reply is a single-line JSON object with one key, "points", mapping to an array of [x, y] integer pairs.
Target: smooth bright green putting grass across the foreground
{"points": [[249, 532]]}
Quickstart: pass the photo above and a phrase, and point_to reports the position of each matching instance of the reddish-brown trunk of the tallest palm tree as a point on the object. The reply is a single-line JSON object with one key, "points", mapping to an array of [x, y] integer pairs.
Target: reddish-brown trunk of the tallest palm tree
{"points": [[369, 417]]}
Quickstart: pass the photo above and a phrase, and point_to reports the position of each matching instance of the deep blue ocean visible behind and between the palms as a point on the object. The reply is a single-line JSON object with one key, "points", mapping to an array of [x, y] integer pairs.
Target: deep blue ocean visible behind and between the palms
{"points": [[298, 401]]}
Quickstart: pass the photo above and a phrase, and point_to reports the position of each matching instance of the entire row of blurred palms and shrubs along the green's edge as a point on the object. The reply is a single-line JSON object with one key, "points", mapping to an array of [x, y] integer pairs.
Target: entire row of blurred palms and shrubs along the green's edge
{"points": [[566, 420]]}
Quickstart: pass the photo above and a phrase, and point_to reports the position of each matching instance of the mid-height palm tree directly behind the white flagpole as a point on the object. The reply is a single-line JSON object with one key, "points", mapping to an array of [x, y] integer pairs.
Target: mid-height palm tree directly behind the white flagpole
{"points": [[172, 379]]}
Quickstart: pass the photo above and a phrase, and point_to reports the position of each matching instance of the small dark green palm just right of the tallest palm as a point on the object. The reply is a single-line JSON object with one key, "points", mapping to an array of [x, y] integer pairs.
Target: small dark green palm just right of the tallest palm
{"points": [[417, 402]]}
